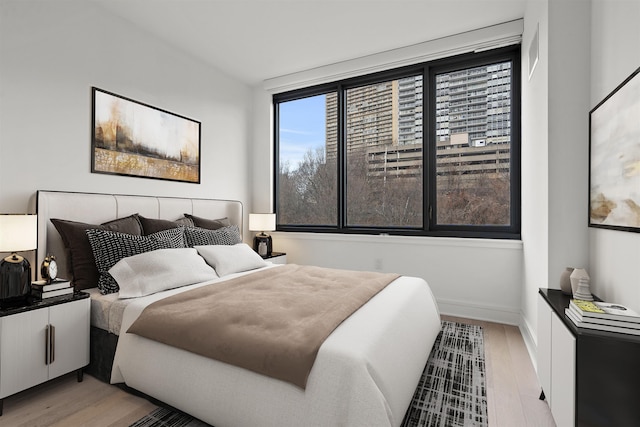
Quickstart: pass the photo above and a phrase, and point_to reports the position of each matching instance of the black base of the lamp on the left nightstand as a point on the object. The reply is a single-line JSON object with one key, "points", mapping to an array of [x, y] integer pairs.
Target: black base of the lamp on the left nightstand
{"points": [[15, 280]]}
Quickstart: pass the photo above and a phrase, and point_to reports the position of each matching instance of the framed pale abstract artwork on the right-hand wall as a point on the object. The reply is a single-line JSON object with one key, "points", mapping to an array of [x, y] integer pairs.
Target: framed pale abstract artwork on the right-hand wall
{"points": [[614, 158]]}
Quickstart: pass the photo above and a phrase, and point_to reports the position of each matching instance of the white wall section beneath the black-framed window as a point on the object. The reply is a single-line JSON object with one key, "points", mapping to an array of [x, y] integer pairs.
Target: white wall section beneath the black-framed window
{"points": [[469, 277]]}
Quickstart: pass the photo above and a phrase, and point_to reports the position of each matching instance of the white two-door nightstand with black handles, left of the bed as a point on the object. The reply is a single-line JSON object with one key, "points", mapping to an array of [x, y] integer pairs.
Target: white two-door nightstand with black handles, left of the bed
{"points": [[43, 340]]}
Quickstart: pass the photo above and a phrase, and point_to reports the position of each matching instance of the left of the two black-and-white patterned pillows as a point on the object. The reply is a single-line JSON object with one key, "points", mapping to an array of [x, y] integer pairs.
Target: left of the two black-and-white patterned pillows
{"points": [[110, 247]]}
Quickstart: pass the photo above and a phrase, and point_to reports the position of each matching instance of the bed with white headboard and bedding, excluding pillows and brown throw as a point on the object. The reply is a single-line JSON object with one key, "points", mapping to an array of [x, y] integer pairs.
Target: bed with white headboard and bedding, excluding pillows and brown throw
{"points": [[364, 373]]}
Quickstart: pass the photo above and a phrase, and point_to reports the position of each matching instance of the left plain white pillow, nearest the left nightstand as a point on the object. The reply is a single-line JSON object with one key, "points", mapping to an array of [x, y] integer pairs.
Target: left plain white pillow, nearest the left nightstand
{"points": [[159, 270]]}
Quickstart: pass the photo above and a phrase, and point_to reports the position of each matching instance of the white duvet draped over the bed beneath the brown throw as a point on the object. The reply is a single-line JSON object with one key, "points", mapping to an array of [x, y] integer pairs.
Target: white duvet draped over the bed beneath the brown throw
{"points": [[364, 375]]}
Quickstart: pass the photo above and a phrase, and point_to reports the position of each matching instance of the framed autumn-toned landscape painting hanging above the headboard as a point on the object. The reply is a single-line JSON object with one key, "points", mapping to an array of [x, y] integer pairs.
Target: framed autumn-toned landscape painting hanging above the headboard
{"points": [[131, 138]]}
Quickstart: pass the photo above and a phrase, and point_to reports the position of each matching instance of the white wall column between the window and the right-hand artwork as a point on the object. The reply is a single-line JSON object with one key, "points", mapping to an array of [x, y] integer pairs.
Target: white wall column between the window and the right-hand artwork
{"points": [[555, 148]]}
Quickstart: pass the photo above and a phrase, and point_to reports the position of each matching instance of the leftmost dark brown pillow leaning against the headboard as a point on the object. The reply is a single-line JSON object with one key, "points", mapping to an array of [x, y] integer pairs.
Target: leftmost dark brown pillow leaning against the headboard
{"points": [[82, 265]]}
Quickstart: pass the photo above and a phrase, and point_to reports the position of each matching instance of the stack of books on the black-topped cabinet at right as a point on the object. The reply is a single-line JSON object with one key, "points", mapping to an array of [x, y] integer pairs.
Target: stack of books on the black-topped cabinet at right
{"points": [[604, 316]]}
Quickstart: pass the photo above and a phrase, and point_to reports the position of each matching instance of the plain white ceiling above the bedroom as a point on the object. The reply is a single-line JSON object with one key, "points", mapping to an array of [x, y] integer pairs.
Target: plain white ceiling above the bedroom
{"points": [[254, 40]]}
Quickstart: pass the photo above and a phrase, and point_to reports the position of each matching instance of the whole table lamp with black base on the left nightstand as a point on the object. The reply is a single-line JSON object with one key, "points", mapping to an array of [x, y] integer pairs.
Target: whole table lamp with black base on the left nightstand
{"points": [[18, 232]]}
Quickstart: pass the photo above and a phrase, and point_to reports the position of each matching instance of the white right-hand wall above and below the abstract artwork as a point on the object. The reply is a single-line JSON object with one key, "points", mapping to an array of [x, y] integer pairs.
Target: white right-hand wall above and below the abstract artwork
{"points": [[614, 262]]}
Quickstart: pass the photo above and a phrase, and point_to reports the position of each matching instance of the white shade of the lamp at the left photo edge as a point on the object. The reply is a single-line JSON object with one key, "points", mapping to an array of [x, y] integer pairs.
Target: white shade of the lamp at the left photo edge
{"points": [[18, 232]]}
